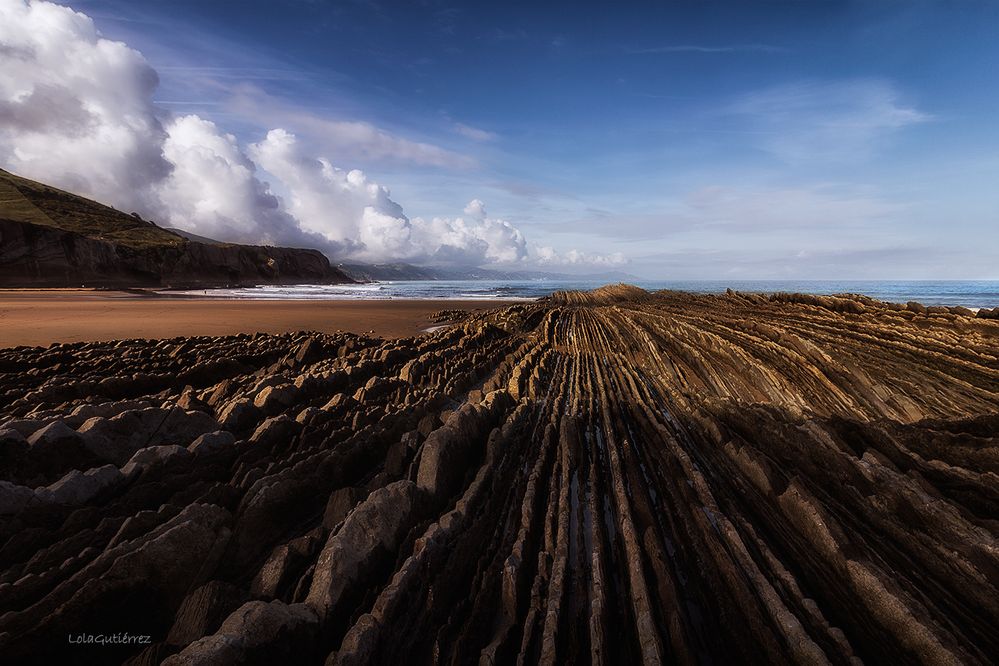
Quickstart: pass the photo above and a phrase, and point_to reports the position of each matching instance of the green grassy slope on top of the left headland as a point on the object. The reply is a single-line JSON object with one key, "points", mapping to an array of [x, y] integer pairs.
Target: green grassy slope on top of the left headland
{"points": [[23, 200]]}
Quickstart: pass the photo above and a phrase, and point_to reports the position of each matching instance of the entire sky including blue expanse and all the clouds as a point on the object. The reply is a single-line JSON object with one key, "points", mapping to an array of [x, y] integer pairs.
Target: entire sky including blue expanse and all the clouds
{"points": [[683, 140]]}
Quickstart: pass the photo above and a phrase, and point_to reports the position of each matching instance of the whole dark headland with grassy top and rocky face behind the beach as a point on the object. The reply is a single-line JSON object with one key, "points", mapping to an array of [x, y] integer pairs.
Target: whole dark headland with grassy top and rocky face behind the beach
{"points": [[52, 238]]}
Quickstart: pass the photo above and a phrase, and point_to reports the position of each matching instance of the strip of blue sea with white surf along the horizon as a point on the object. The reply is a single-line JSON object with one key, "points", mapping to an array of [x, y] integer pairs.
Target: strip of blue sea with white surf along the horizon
{"points": [[971, 294]]}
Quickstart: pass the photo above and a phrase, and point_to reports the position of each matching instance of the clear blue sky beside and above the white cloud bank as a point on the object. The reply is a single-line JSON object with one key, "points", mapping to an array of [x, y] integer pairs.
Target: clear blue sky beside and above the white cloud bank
{"points": [[690, 140]]}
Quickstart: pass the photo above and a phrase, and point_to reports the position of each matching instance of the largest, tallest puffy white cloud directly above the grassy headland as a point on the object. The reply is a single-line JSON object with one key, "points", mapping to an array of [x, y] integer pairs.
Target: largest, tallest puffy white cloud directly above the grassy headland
{"points": [[76, 109]]}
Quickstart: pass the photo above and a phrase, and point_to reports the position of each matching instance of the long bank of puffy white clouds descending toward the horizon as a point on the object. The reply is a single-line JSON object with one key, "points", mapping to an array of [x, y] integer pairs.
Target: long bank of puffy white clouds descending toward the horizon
{"points": [[77, 111]]}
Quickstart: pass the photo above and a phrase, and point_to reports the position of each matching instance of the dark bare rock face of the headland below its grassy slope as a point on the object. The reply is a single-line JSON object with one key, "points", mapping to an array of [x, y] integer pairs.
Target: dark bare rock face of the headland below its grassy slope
{"points": [[38, 256]]}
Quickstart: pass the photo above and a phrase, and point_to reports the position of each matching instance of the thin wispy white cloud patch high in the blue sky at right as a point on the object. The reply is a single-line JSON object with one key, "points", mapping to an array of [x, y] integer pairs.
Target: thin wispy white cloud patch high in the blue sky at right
{"points": [[826, 121]]}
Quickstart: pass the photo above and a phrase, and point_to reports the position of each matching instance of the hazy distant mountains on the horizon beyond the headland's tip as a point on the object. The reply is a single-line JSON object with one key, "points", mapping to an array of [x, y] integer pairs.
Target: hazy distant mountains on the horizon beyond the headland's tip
{"points": [[402, 272]]}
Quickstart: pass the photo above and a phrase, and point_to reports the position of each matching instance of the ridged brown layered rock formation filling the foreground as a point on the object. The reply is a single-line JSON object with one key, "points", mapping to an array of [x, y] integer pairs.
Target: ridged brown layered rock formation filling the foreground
{"points": [[610, 477]]}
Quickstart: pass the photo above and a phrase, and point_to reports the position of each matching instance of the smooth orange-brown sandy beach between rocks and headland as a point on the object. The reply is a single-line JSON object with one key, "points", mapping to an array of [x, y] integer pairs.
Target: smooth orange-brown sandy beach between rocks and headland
{"points": [[42, 317]]}
